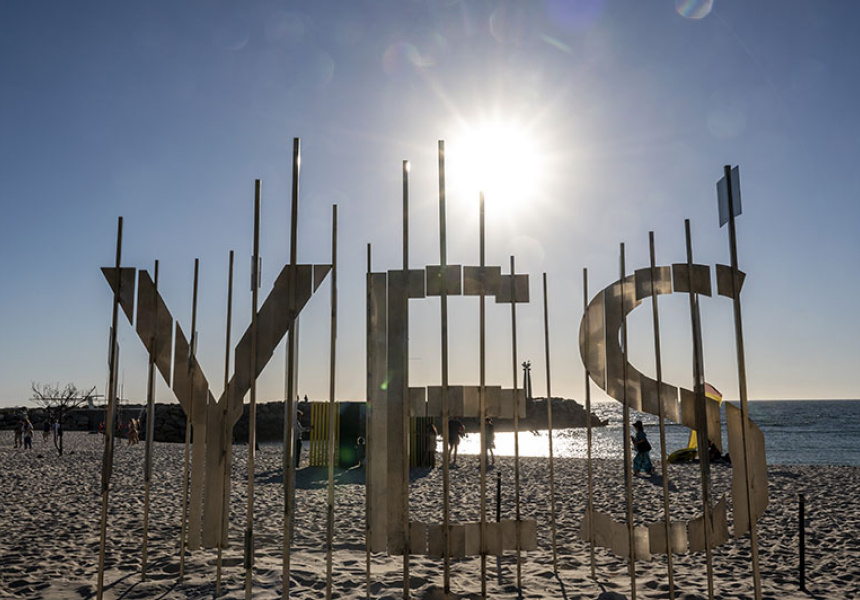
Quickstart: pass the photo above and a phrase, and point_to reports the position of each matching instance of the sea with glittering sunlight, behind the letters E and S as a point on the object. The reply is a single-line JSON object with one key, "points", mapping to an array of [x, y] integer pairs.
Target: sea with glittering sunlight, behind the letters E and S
{"points": [[796, 432]]}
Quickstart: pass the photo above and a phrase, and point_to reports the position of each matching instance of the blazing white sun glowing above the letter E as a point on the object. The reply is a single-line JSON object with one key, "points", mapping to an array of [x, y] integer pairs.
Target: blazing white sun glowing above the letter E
{"points": [[498, 158]]}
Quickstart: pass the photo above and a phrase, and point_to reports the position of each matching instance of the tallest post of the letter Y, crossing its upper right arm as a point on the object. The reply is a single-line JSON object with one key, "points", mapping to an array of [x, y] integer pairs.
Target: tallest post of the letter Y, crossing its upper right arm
{"points": [[289, 465]]}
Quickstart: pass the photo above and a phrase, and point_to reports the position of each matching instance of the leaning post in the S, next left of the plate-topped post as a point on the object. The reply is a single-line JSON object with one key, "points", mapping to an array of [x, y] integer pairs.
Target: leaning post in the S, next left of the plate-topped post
{"points": [[701, 418]]}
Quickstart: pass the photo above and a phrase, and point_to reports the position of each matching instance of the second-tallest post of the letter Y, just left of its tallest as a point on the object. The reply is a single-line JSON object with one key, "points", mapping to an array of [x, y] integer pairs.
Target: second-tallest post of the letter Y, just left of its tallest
{"points": [[252, 407]]}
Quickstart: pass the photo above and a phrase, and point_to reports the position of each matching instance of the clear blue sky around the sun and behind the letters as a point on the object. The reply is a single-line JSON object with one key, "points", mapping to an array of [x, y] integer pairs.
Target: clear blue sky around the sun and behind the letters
{"points": [[165, 113]]}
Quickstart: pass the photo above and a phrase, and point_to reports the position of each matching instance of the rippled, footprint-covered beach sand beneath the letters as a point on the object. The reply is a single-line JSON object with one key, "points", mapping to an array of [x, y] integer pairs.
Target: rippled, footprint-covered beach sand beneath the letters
{"points": [[51, 507]]}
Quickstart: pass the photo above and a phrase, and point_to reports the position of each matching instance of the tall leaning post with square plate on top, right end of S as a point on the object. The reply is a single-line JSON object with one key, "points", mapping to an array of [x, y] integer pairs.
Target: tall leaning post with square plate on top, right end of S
{"points": [[742, 381]]}
